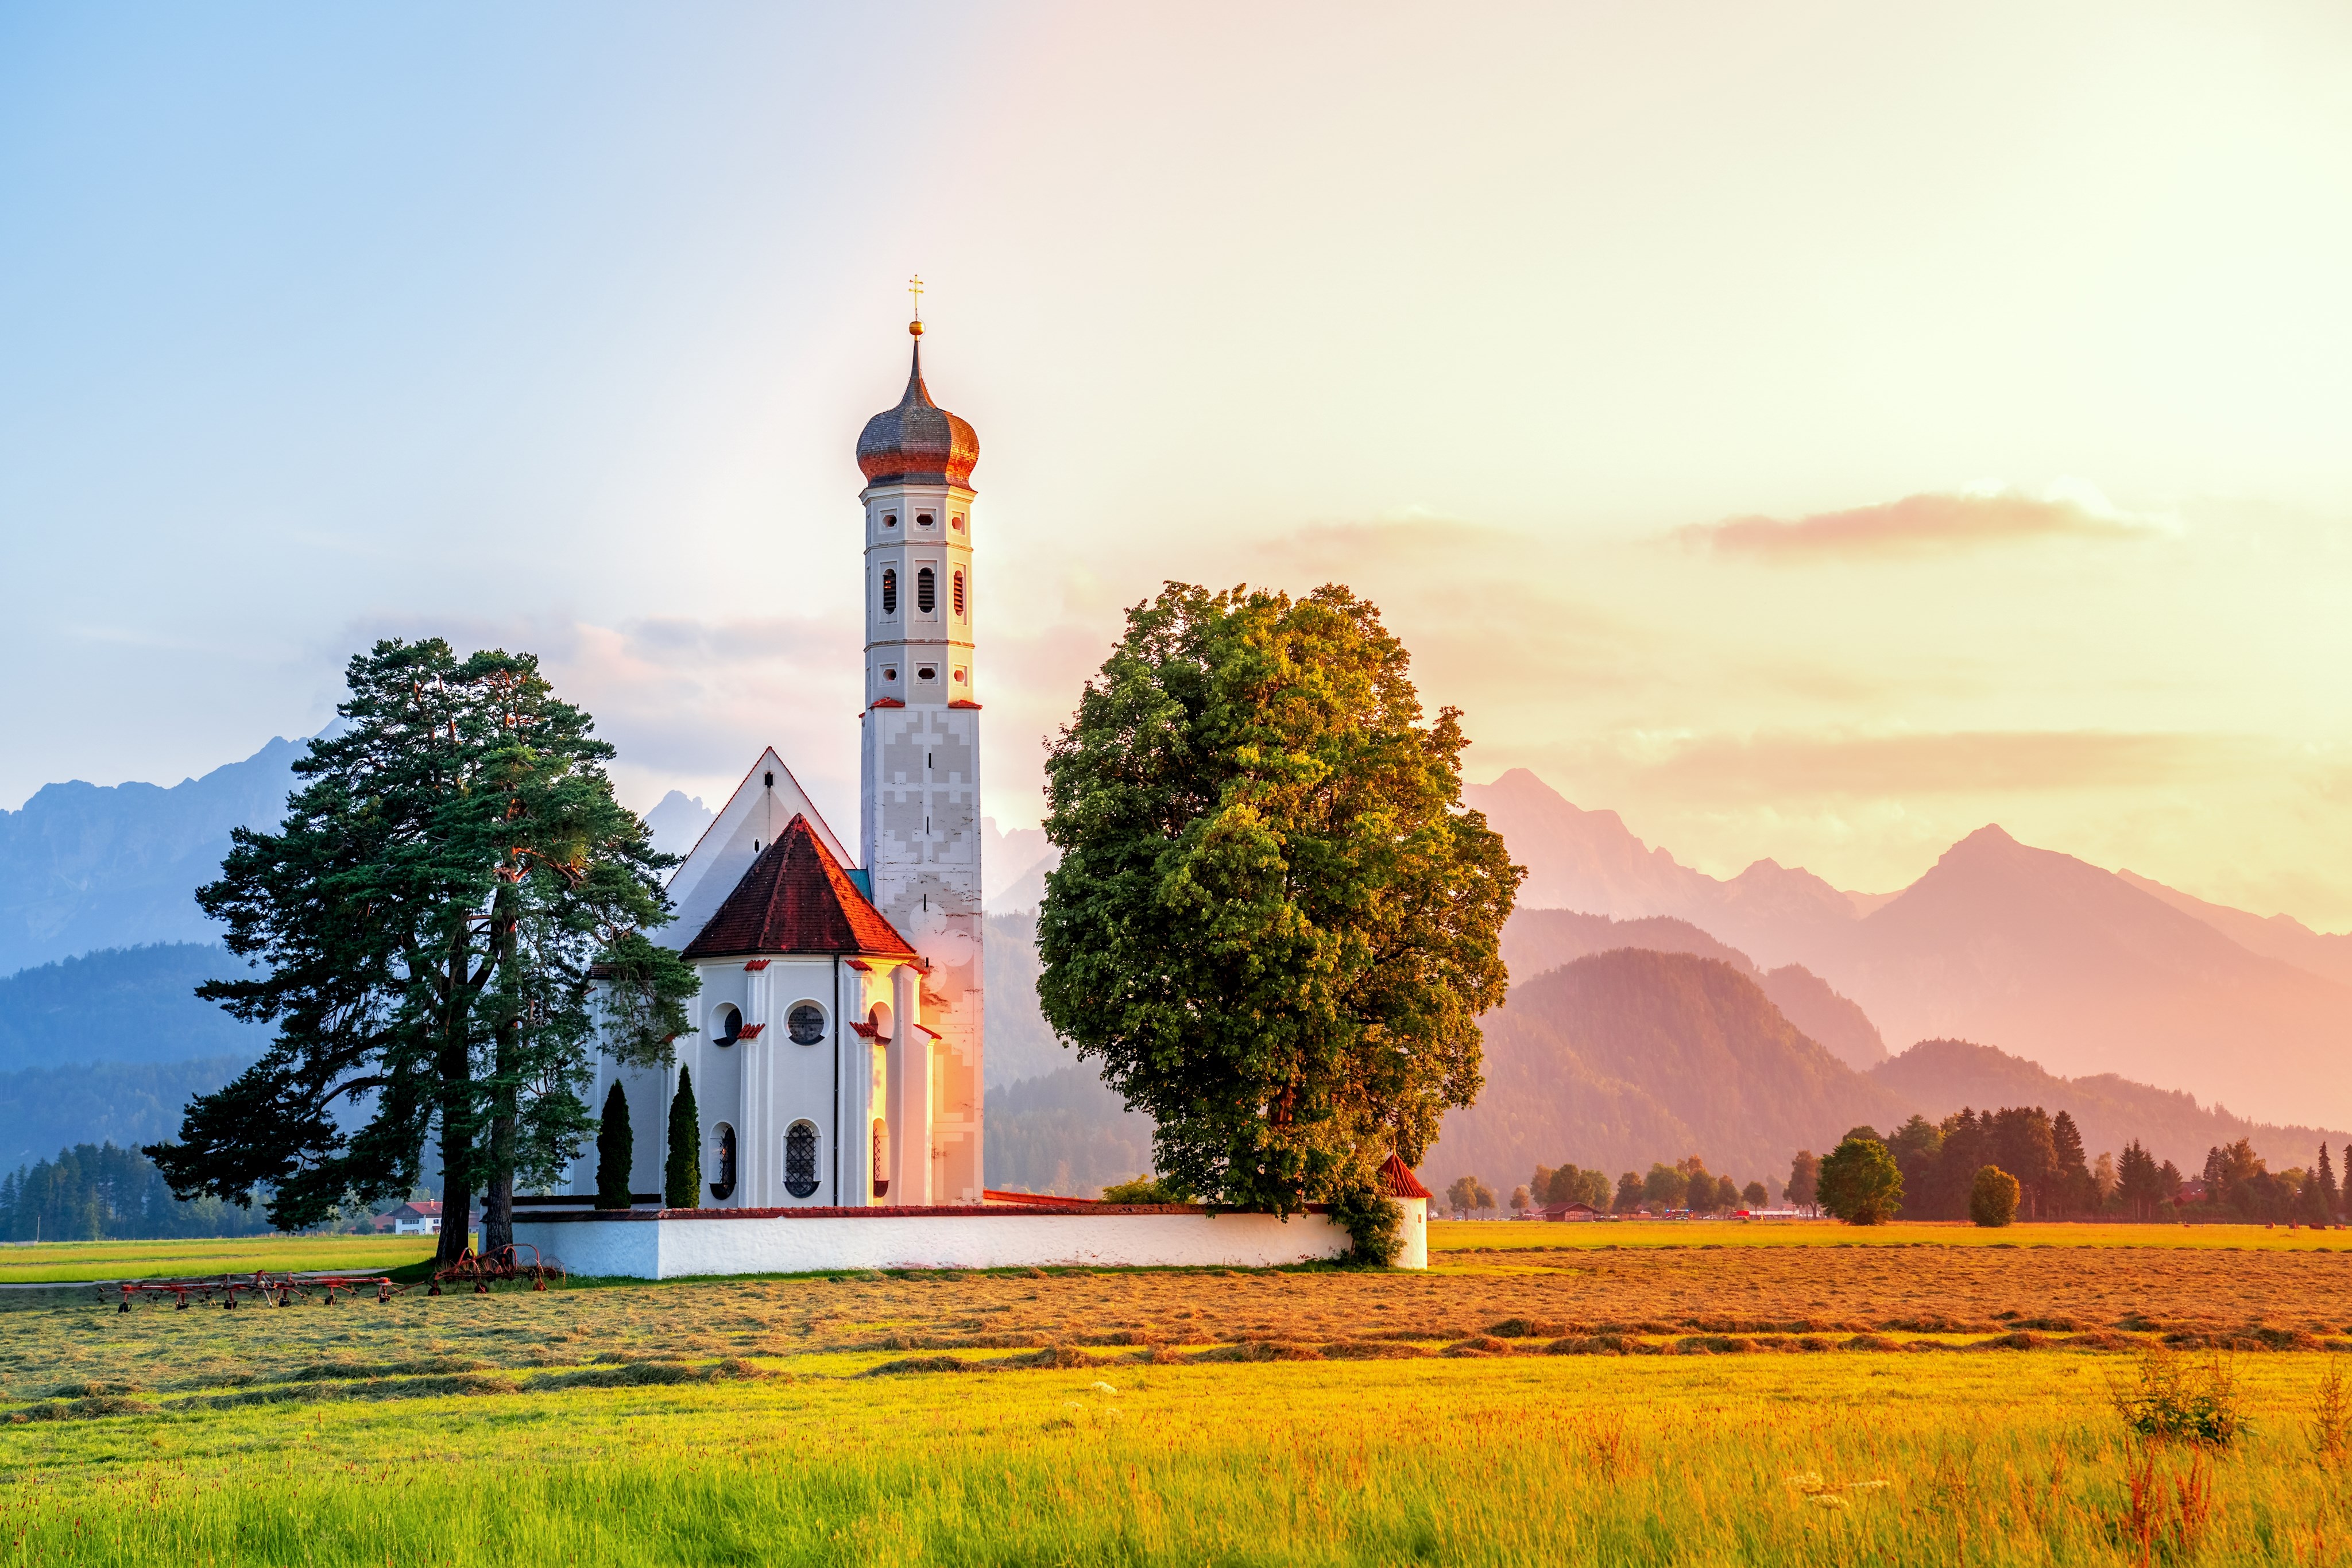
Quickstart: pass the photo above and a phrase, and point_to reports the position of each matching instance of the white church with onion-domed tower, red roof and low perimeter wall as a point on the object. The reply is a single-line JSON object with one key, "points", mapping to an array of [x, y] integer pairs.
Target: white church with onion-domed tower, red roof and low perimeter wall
{"points": [[838, 1031]]}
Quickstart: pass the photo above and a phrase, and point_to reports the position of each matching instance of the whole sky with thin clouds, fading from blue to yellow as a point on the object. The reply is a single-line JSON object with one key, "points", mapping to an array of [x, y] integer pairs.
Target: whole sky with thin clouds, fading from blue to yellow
{"points": [[1810, 431]]}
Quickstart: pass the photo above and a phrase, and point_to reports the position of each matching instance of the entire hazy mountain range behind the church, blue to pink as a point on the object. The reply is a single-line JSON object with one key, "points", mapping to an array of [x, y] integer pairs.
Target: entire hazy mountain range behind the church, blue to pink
{"points": [[2085, 986]]}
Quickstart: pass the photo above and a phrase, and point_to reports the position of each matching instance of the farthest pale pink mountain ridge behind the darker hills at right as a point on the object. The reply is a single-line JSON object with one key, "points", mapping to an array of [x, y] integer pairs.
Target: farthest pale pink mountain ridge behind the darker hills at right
{"points": [[2040, 953]]}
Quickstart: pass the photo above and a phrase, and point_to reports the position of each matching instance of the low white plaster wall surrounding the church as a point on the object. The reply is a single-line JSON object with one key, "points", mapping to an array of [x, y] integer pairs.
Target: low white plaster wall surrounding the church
{"points": [[669, 1249]]}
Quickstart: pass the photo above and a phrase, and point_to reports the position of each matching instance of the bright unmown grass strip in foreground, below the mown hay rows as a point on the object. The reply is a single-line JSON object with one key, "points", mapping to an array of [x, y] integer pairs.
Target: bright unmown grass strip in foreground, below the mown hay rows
{"points": [[1476, 1461]]}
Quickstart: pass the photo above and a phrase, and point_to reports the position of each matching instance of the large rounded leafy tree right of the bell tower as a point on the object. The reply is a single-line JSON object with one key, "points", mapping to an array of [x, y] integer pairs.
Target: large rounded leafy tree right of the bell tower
{"points": [[1274, 920]]}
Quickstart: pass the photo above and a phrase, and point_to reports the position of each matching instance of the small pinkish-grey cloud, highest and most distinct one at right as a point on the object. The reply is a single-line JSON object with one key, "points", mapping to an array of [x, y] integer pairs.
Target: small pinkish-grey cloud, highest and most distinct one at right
{"points": [[1923, 525]]}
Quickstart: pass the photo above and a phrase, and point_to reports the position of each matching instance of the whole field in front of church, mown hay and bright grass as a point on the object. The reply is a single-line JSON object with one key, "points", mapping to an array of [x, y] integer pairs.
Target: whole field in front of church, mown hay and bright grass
{"points": [[1537, 1407]]}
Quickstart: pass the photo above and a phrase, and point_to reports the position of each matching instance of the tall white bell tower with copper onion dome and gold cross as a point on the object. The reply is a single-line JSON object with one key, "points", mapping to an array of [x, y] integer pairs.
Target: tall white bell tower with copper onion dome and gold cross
{"points": [[921, 775]]}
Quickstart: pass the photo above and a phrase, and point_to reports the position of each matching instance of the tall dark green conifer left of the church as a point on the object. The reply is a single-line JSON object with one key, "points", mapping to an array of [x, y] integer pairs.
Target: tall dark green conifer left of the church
{"points": [[427, 923]]}
